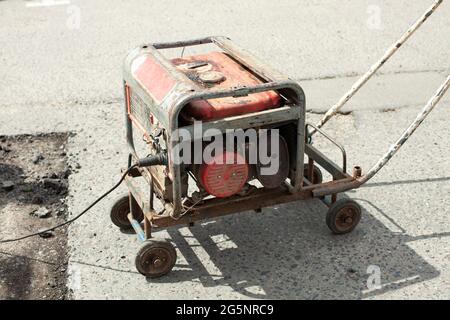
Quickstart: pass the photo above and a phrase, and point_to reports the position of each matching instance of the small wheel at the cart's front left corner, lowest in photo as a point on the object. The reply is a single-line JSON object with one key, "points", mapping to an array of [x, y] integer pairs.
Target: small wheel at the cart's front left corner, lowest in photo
{"points": [[155, 258]]}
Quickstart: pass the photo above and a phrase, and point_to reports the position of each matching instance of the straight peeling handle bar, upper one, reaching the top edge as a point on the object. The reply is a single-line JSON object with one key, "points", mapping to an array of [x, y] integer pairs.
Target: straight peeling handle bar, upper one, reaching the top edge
{"points": [[374, 68]]}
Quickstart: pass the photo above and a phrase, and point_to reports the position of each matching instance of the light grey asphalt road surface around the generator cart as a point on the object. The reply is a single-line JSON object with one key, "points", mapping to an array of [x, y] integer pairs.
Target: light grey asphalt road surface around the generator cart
{"points": [[60, 66]]}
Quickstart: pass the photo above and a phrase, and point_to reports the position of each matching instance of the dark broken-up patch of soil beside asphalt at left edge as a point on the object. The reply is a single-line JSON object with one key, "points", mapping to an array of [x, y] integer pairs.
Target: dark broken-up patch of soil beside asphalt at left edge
{"points": [[33, 187]]}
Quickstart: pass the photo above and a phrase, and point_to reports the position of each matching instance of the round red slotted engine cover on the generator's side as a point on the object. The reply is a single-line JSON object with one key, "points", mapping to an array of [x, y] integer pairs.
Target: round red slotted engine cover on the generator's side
{"points": [[225, 175]]}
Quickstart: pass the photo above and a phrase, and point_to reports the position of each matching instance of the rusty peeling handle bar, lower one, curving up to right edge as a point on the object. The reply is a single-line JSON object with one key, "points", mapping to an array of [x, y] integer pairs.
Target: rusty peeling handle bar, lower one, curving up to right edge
{"points": [[356, 182]]}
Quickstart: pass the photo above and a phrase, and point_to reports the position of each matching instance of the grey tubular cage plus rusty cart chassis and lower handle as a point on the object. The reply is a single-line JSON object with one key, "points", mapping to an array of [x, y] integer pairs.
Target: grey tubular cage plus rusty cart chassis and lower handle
{"points": [[299, 188]]}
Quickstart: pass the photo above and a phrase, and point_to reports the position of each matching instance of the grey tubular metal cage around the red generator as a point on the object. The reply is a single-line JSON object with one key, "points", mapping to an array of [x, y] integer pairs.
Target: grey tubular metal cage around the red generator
{"points": [[189, 93]]}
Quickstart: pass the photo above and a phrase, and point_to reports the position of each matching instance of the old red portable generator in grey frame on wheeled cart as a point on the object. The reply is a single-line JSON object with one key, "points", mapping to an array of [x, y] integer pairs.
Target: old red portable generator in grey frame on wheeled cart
{"points": [[225, 90]]}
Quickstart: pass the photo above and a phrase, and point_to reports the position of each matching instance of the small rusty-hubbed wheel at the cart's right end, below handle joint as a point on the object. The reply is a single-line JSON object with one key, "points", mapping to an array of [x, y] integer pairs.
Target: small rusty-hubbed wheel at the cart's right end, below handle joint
{"points": [[343, 216]]}
